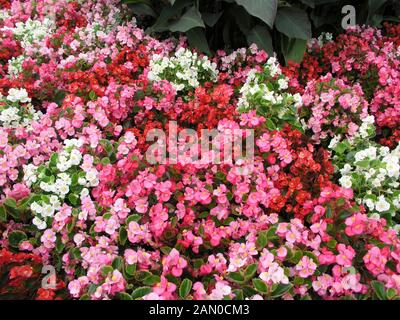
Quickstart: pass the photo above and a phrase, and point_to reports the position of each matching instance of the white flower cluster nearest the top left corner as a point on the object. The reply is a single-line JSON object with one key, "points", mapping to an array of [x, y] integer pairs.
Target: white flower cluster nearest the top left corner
{"points": [[31, 31]]}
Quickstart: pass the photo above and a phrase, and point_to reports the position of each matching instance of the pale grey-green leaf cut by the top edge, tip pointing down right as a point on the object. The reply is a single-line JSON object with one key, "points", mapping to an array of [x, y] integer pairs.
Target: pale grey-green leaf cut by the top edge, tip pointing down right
{"points": [[262, 9]]}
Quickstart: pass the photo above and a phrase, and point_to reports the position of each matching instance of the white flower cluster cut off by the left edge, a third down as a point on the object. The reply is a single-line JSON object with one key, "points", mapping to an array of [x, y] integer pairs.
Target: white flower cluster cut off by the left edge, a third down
{"points": [[12, 115]]}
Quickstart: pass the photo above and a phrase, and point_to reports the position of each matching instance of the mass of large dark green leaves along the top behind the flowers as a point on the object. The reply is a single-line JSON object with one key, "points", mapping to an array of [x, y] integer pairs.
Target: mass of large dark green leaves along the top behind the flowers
{"points": [[274, 25]]}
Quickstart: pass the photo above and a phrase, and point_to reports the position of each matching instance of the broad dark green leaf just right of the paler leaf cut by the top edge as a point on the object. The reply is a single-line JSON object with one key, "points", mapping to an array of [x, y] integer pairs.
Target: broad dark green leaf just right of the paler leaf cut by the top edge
{"points": [[294, 23]]}
